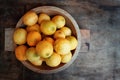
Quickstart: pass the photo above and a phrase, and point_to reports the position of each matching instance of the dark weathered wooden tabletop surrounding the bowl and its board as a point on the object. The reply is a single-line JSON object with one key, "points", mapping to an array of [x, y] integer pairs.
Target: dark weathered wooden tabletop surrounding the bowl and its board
{"points": [[102, 62]]}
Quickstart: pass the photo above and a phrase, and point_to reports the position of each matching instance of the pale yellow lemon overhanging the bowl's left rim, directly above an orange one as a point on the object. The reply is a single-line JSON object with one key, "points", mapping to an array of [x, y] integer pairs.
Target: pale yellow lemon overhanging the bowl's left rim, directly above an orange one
{"points": [[19, 36]]}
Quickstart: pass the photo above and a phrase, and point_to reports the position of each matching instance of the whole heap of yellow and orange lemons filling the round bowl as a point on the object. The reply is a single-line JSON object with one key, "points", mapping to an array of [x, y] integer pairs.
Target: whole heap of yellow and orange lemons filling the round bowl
{"points": [[44, 39]]}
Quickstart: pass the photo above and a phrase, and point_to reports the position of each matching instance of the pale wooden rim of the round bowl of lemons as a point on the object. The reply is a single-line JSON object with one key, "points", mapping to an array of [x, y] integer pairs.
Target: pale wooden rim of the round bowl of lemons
{"points": [[78, 35]]}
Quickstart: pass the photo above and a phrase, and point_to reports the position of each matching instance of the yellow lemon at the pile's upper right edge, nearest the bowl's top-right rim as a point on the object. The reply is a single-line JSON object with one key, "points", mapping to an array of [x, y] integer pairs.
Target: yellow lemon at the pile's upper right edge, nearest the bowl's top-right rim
{"points": [[59, 21]]}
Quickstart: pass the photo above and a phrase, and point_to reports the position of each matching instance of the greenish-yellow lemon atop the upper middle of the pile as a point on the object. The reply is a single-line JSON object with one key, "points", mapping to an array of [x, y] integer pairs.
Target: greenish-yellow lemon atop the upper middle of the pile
{"points": [[48, 27]]}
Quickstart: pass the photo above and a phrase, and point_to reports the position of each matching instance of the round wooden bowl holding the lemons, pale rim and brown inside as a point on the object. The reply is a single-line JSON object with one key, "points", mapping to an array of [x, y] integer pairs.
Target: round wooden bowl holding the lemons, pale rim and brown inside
{"points": [[70, 22]]}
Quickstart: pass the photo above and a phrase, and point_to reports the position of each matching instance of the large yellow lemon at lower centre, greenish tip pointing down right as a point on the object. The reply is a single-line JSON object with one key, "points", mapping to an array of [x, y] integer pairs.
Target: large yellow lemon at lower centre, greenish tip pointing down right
{"points": [[44, 49]]}
